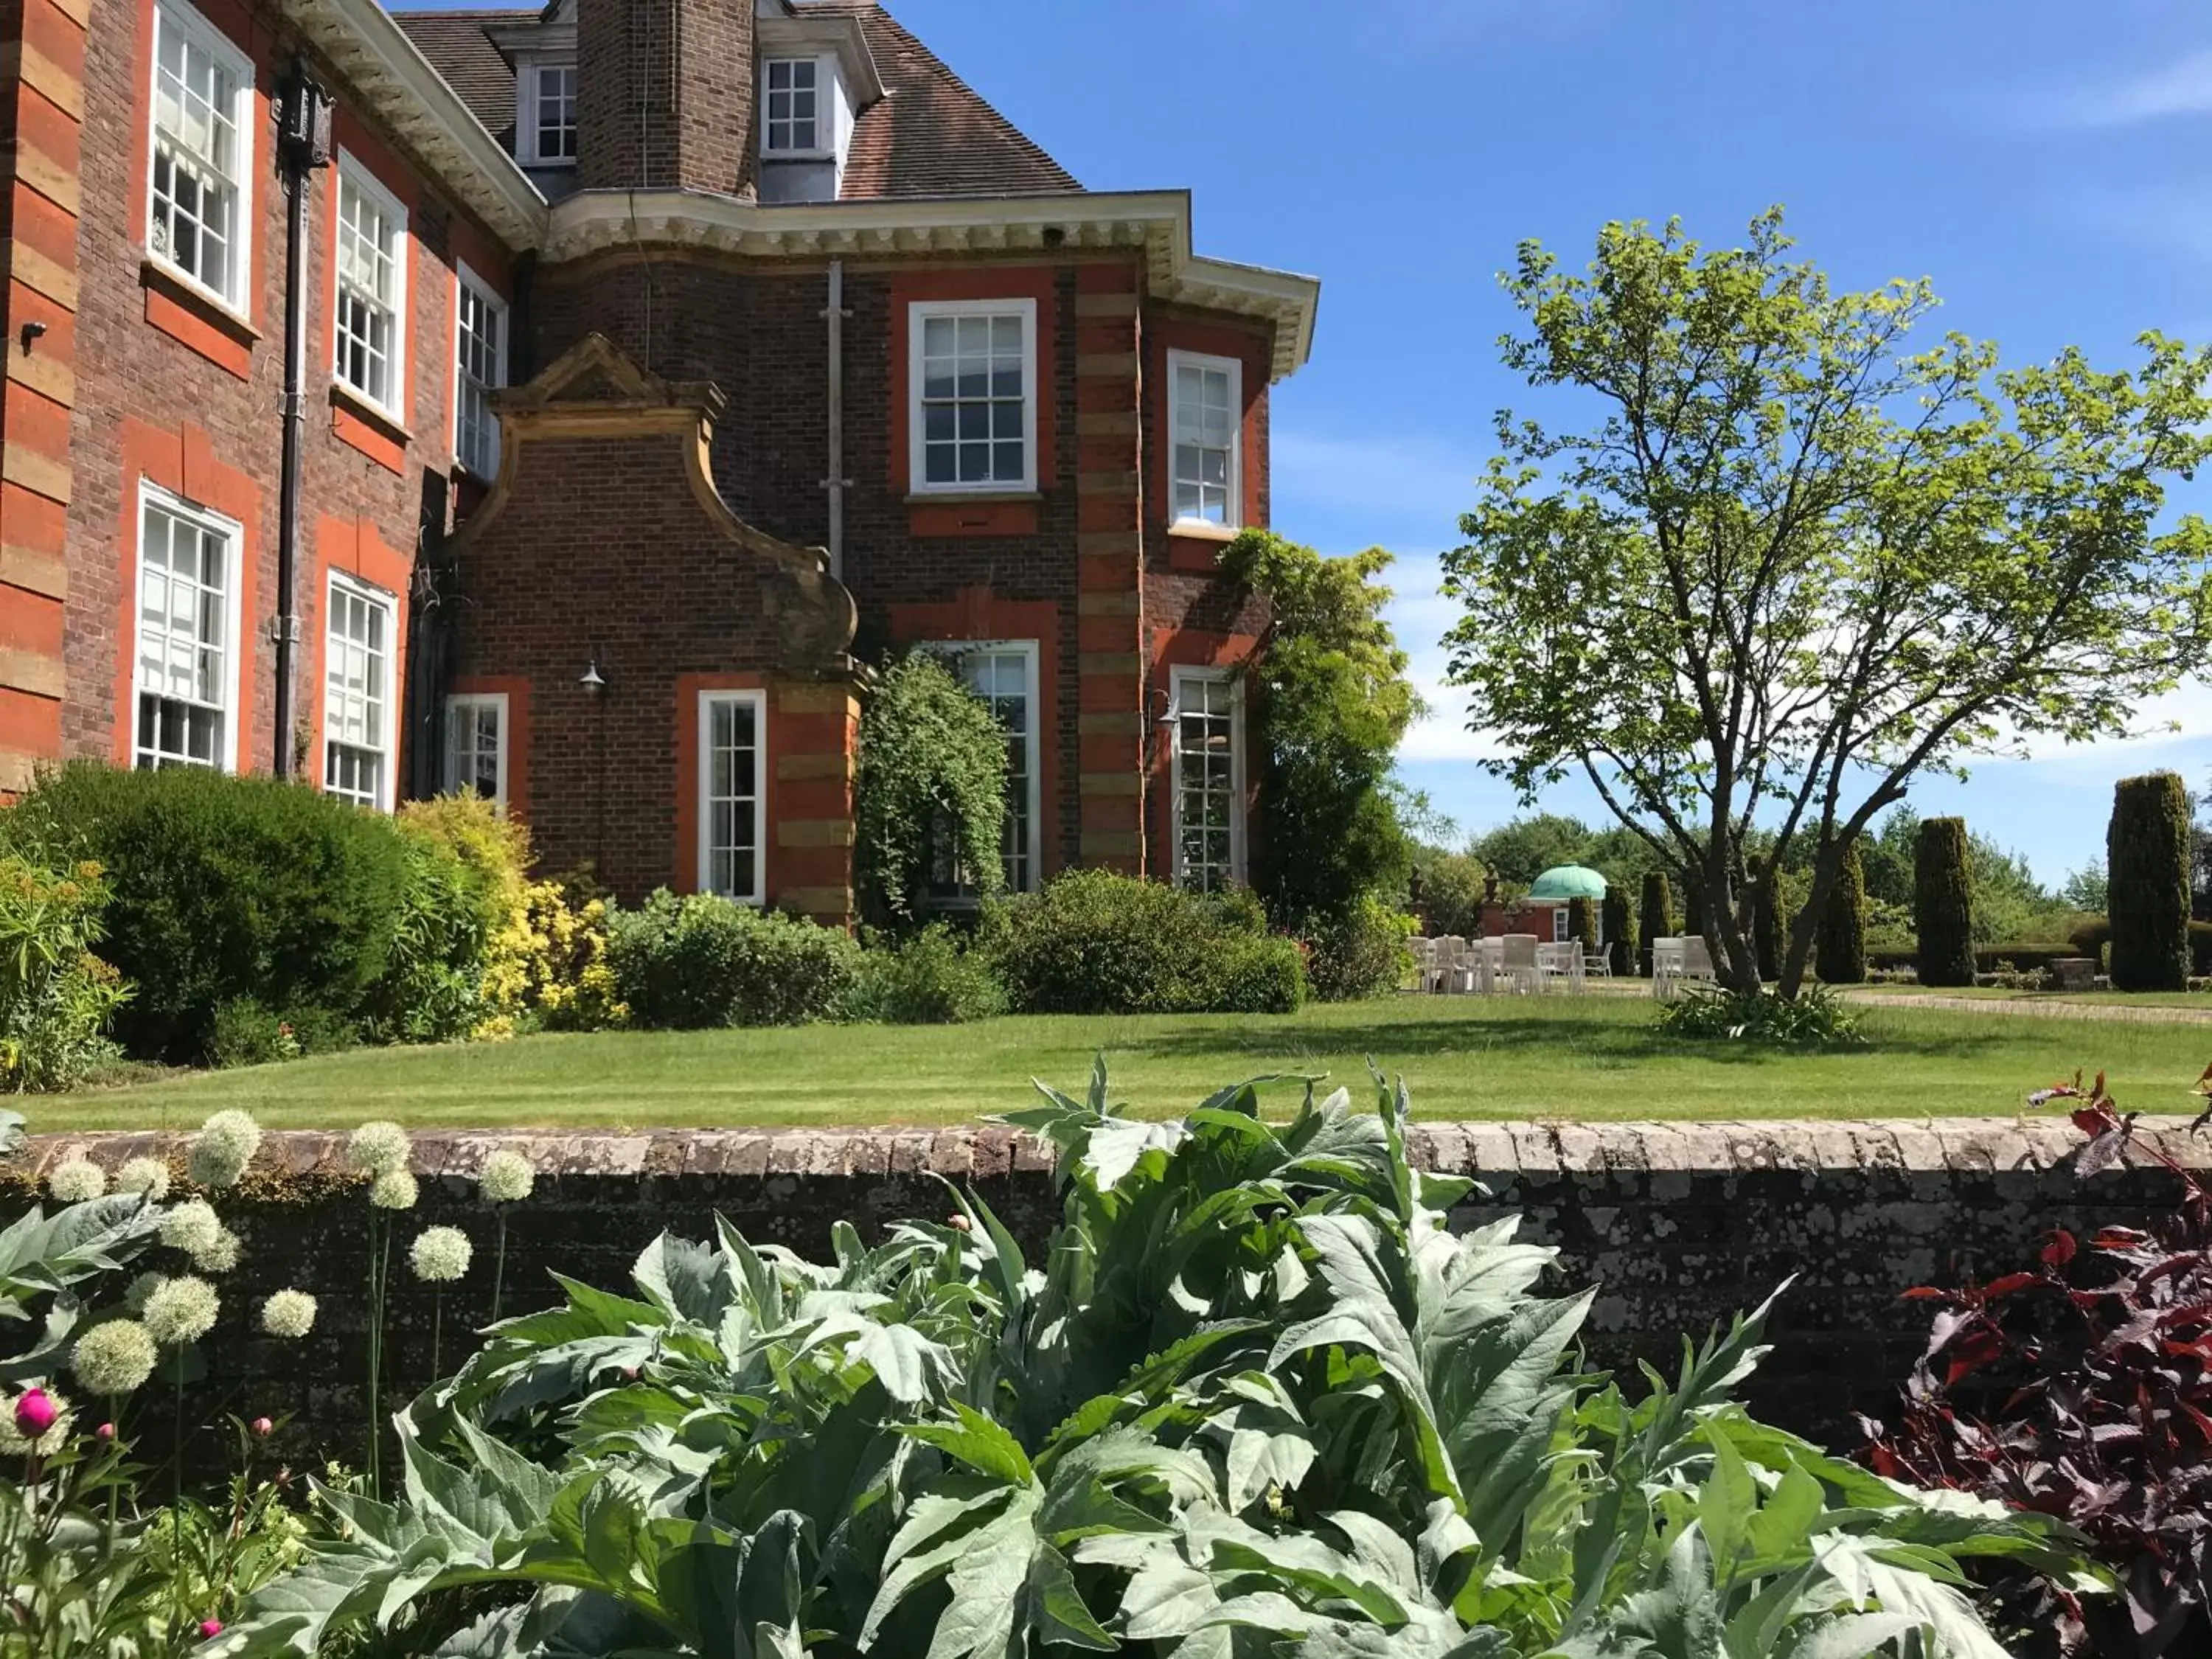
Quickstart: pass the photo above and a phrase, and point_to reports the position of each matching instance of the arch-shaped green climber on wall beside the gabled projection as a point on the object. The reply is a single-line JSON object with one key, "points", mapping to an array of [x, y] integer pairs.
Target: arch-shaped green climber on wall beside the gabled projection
{"points": [[932, 775]]}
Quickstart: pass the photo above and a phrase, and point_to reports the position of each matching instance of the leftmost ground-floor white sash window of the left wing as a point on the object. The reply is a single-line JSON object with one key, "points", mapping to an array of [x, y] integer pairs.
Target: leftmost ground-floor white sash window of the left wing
{"points": [[187, 632]]}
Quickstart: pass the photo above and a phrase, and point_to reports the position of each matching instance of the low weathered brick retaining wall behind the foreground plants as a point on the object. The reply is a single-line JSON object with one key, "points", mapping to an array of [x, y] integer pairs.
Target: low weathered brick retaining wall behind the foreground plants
{"points": [[1682, 1224]]}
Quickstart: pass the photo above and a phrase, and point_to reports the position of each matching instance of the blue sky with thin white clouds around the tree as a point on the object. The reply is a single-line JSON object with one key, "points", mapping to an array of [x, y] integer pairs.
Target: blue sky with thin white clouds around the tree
{"points": [[2043, 160]]}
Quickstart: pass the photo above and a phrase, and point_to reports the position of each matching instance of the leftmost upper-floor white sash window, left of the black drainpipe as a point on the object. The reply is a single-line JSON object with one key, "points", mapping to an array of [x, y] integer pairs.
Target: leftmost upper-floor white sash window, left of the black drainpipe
{"points": [[202, 154]]}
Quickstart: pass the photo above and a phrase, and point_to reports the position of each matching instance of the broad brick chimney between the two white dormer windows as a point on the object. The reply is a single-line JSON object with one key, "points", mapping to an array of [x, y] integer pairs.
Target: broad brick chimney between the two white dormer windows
{"points": [[665, 94]]}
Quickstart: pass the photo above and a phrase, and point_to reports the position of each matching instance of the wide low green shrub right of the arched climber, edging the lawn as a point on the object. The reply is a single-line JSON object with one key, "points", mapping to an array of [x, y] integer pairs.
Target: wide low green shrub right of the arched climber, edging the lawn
{"points": [[1105, 943]]}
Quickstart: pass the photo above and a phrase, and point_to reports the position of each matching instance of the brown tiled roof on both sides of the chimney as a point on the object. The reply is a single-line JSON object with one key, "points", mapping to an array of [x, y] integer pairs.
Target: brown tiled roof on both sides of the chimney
{"points": [[928, 136]]}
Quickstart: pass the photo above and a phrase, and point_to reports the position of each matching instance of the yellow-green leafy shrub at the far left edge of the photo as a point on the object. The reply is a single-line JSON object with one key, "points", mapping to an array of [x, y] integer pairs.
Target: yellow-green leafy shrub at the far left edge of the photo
{"points": [[56, 997]]}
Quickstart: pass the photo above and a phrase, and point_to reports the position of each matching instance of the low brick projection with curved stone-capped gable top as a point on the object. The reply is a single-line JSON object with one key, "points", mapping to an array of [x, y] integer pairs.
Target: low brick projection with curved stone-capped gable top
{"points": [[607, 552]]}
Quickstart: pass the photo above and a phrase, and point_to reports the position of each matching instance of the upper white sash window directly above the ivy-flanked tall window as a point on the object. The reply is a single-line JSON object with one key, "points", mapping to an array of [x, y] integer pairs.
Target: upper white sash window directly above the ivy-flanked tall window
{"points": [[974, 373]]}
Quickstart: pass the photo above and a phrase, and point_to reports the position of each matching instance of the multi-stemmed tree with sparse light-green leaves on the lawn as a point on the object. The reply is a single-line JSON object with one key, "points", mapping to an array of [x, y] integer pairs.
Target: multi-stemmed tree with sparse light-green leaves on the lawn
{"points": [[1797, 561]]}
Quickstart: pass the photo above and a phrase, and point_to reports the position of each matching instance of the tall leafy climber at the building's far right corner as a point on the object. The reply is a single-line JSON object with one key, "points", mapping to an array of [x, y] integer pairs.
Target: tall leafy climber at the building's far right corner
{"points": [[1333, 702]]}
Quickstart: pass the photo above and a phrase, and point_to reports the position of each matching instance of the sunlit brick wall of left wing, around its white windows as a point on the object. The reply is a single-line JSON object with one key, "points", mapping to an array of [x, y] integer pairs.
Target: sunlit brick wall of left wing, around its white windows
{"points": [[174, 388]]}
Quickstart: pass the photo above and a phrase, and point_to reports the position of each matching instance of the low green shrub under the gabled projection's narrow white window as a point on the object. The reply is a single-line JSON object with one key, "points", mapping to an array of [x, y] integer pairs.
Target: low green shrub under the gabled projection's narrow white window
{"points": [[702, 963]]}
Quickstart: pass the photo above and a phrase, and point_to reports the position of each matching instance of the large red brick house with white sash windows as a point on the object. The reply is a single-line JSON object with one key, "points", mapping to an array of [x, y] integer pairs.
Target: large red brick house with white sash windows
{"points": [[647, 368]]}
